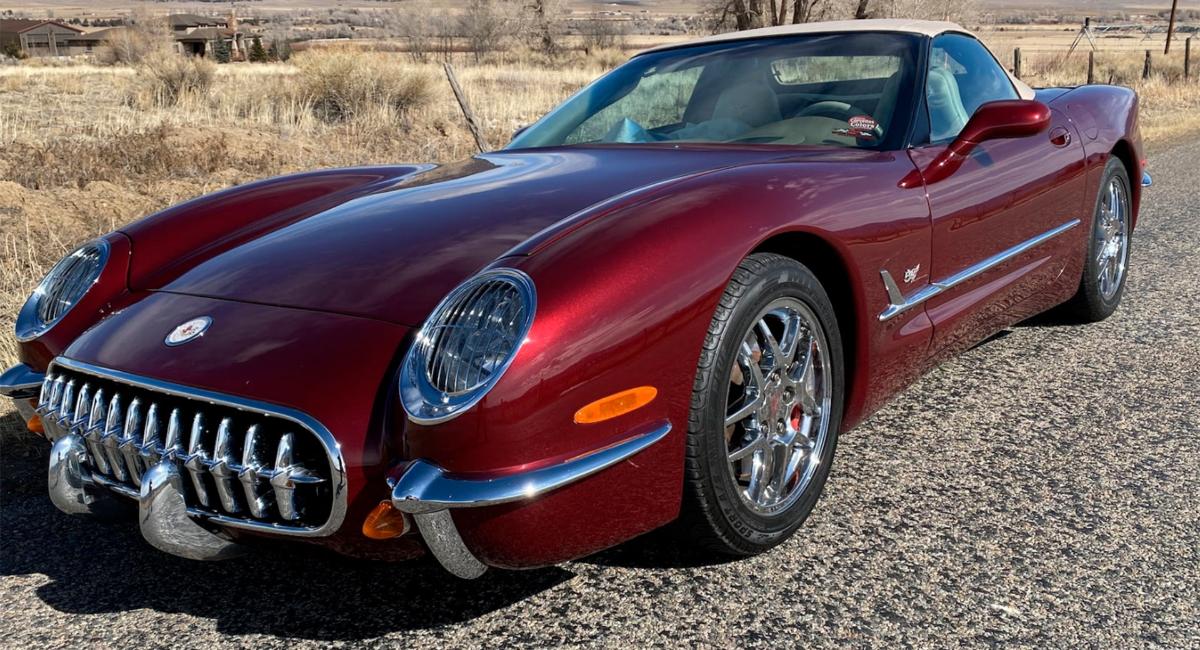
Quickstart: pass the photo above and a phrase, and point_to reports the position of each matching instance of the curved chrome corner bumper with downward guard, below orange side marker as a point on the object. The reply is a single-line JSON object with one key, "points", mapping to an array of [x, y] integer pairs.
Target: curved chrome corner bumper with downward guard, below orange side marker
{"points": [[429, 493]]}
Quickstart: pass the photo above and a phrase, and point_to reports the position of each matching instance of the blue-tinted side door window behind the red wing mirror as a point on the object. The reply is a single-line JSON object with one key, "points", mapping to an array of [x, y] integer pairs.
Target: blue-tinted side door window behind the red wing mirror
{"points": [[963, 76]]}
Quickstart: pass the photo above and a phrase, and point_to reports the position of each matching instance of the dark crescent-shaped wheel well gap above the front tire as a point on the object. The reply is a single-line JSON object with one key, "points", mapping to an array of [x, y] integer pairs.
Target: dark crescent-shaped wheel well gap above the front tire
{"points": [[824, 261]]}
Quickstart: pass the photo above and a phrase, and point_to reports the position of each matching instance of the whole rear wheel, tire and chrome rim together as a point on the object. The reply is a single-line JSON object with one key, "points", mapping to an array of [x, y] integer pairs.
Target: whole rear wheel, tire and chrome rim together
{"points": [[1108, 249]]}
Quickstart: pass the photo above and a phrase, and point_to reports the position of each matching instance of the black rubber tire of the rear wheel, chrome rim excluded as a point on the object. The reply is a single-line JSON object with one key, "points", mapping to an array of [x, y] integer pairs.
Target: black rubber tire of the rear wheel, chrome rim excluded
{"points": [[1090, 303]]}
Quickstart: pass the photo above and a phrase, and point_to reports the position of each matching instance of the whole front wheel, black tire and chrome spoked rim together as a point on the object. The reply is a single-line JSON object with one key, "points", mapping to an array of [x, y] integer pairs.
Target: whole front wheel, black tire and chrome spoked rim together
{"points": [[766, 410]]}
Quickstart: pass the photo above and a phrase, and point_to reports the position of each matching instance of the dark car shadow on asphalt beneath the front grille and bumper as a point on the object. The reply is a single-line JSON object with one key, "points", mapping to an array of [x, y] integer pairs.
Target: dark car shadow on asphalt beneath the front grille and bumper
{"points": [[298, 592]]}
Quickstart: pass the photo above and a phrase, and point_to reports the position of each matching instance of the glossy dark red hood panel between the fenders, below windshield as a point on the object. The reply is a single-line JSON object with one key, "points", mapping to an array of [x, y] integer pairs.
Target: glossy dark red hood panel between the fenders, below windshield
{"points": [[393, 255]]}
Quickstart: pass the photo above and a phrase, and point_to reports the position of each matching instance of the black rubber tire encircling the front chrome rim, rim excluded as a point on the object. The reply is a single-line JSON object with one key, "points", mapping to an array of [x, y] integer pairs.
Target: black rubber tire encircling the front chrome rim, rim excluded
{"points": [[716, 515]]}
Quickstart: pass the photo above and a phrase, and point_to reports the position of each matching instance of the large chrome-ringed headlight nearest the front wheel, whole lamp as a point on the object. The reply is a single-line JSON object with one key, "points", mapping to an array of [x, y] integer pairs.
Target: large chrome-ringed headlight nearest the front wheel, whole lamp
{"points": [[466, 345]]}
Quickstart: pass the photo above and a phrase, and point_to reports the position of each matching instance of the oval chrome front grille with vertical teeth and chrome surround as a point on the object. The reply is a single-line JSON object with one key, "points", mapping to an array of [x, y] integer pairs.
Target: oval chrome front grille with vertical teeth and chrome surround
{"points": [[244, 465]]}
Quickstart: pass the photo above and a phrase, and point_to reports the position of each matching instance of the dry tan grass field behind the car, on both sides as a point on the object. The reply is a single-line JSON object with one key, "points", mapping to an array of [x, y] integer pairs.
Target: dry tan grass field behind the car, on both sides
{"points": [[85, 148]]}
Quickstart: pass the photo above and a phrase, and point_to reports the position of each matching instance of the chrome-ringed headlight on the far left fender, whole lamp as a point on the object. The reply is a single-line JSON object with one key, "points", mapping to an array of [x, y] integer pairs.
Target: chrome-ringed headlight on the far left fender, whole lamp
{"points": [[62, 290]]}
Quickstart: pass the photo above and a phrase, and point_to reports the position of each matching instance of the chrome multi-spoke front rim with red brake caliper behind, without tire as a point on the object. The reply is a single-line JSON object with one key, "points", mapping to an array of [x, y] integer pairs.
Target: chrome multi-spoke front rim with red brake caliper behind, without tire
{"points": [[778, 407]]}
